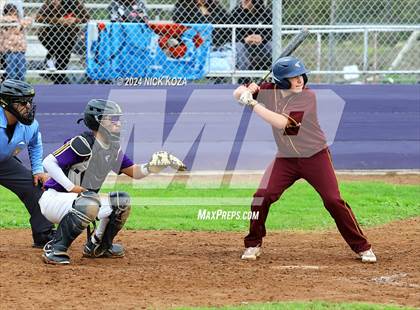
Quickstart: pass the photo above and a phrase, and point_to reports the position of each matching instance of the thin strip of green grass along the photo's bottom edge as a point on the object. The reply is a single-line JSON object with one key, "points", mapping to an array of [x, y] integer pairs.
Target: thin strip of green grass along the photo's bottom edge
{"points": [[305, 306]]}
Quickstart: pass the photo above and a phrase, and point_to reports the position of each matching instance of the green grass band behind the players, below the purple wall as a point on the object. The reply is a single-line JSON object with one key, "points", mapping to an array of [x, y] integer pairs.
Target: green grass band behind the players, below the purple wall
{"points": [[300, 207]]}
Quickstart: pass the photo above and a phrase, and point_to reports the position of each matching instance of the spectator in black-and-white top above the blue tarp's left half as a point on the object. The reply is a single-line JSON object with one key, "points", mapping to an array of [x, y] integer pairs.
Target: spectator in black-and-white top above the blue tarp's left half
{"points": [[128, 11]]}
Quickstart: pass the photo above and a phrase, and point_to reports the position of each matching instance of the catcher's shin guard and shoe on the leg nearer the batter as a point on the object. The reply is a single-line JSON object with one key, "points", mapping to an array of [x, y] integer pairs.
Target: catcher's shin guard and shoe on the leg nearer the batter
{"points": [[120, 203]]}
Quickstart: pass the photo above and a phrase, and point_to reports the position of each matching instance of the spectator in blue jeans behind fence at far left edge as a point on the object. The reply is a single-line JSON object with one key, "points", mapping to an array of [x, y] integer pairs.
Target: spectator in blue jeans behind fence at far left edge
{"points": [[13, 42]]}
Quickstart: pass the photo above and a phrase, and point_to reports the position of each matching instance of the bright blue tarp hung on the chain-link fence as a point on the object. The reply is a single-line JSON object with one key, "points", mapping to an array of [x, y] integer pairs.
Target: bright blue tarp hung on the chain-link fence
{"points": [[123, 50]]}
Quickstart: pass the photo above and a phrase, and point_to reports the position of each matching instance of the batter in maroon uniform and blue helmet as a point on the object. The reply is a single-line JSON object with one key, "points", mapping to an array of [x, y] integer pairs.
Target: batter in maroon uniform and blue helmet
{"points": [[290, 109]]}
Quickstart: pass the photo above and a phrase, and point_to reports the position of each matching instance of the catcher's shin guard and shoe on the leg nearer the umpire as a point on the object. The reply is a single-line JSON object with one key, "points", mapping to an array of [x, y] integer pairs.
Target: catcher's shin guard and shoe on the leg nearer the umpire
{"points": [[84, 211]]}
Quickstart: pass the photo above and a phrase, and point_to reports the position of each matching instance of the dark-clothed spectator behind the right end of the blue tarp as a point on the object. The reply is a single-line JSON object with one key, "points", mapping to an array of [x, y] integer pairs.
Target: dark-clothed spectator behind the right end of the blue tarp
{"points": [[203, 12]]}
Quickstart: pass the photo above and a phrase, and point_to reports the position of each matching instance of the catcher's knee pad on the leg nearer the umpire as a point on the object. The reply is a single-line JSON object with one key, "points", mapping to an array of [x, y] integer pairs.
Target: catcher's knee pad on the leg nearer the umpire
{"points": [[86, 207]]}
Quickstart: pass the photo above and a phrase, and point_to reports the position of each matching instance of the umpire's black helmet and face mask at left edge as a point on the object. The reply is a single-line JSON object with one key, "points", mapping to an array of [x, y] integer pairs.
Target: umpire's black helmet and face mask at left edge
{"points": [[14, 93]]}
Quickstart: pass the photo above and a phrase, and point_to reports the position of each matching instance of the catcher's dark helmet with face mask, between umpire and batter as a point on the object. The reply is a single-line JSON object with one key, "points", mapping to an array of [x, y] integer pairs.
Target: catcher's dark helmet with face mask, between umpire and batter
{"points": [[95, 110]]}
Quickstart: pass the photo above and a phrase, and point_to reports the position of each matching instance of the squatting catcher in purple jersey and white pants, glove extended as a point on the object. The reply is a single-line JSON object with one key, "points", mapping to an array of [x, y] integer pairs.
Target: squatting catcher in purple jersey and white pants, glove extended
{"points": [[77, 171]]}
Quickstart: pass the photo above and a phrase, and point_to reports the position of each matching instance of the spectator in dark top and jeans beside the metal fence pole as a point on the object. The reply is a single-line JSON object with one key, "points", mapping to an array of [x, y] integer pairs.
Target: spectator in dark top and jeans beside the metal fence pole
{"points": [[253, 46]]}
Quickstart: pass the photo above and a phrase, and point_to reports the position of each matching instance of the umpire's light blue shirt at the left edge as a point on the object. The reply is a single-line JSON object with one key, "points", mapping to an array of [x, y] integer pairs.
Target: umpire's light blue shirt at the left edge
{"points": [[23, 136]]}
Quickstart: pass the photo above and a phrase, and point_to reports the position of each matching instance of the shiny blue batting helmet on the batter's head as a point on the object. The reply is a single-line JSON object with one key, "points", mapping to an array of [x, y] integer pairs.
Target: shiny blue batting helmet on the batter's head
{"points": [[288, 67]]}
